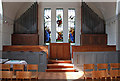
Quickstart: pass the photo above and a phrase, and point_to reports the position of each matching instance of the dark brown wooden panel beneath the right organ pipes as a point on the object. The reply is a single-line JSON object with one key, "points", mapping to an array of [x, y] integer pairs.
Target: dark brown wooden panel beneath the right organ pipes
{"points": [[93, 39]]}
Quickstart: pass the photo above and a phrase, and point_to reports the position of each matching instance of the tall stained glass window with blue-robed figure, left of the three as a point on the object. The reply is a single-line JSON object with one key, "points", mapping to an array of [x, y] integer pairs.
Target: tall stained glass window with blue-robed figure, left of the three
{"points": [[47, 25]]}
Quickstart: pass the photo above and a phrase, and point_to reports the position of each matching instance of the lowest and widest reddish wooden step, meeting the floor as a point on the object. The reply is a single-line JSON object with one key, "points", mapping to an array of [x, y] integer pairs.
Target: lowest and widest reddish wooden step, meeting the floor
{"points": [[61, 70]]}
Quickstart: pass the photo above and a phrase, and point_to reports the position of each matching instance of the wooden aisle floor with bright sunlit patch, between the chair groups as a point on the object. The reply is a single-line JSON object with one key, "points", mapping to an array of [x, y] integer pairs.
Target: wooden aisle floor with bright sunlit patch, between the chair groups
{"points": [[61, 75]]}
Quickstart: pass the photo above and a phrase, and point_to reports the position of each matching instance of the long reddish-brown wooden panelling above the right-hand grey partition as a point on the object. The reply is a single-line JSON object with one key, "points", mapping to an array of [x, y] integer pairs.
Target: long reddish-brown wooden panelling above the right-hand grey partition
{"points": [[92, 48]]}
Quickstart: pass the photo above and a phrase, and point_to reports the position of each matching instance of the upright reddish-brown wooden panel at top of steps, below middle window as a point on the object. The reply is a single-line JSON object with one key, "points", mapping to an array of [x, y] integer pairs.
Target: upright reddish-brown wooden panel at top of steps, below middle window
{"points": [[60, 51]]}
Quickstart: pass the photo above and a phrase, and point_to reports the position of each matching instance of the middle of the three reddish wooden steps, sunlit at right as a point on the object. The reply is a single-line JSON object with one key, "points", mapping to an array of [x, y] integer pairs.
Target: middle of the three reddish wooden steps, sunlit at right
{"points": [[59, 65]]}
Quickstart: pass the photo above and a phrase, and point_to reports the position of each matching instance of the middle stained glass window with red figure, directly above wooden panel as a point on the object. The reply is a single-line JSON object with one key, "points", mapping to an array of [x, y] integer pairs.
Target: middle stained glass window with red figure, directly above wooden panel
{"points": [[59, 25]]}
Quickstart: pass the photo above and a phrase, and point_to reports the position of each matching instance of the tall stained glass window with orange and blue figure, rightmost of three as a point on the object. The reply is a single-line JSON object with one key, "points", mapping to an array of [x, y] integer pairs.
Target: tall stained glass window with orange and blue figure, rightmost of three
{"points": [[71, 25]]}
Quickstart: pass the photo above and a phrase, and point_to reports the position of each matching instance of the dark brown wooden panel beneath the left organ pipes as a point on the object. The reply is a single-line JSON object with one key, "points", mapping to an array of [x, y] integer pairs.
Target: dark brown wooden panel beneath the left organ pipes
{"points": [[25, 39]]}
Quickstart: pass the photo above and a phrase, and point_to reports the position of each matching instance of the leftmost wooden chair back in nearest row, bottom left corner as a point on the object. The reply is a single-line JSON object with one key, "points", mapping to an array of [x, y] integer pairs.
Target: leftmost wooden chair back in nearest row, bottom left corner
{"points": [[6, 75]]}
